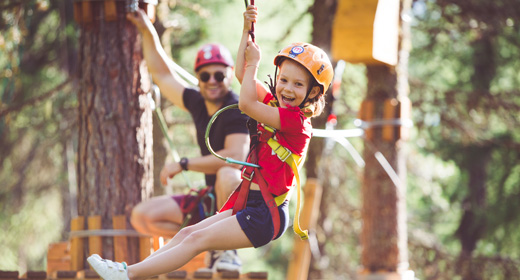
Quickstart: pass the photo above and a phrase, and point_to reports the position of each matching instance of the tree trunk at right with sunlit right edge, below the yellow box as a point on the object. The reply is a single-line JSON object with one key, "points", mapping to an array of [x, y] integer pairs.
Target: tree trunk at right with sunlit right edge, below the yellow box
{"points": [[384, 232]]}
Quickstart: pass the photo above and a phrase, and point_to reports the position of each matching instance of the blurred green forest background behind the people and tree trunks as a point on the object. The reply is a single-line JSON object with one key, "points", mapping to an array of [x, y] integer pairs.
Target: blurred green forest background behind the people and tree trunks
{"points": [[463, 164]]}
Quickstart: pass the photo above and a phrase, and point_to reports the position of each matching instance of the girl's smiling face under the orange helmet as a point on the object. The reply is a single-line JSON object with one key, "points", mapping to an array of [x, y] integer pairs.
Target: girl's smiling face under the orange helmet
{"points": [[293, 83]]}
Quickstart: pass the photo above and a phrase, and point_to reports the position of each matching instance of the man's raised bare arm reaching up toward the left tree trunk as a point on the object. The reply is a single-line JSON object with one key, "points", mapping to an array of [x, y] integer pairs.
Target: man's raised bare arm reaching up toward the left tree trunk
{"points": [[172, 86]]}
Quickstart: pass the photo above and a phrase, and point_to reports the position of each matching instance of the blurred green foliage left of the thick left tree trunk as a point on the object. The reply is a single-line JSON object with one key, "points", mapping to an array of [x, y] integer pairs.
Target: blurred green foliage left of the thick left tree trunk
{"points": [[35, 122]]}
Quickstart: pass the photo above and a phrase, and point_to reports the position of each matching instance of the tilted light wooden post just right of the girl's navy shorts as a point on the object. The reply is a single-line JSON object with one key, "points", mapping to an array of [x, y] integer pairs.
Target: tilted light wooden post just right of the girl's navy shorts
{"points": [[299, 265]]}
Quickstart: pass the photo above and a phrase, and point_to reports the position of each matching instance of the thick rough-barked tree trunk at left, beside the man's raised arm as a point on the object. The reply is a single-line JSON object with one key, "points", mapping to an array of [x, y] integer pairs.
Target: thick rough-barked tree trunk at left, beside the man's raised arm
{"points": [[115, 164]]}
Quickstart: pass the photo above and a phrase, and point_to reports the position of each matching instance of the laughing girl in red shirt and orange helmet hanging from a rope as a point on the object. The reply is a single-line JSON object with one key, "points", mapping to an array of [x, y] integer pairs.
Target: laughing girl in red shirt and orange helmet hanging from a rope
{"points": [[257, 212]]}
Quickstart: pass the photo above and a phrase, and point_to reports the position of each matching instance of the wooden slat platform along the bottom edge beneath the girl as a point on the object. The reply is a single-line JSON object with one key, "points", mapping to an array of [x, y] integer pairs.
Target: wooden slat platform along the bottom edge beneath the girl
{"points": [[91, 275]]}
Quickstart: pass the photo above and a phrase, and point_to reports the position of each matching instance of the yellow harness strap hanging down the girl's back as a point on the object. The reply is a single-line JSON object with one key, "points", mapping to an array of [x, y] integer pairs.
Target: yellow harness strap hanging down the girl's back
{"points": [[294, 162]]}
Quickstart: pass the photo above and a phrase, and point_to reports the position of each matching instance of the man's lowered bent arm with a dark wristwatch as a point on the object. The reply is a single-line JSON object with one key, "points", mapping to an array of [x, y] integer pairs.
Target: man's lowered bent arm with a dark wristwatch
{"points": [[236, 146]]}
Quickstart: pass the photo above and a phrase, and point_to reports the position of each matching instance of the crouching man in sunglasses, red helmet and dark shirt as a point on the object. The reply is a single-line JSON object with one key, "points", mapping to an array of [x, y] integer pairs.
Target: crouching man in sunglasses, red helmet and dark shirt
{"points": [[162, 216]]}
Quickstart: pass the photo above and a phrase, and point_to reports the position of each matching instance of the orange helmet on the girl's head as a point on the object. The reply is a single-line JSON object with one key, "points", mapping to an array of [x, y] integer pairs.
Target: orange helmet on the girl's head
{"points": [[312, 58]]}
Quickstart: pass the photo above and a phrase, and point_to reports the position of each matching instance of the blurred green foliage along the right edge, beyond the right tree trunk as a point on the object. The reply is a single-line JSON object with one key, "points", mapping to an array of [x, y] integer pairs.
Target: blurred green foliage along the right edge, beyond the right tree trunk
{"points": [[464, 88]]}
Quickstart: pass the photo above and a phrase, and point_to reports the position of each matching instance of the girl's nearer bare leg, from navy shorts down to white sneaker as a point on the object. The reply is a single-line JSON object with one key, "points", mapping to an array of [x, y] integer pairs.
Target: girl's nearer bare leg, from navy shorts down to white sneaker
{"points": [[223, 234]]}
